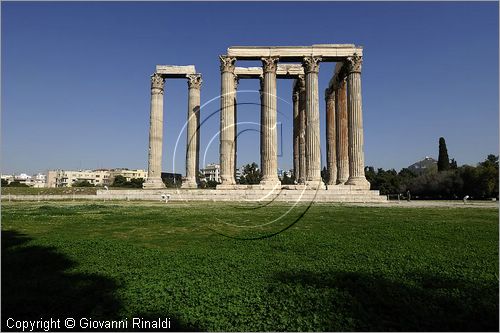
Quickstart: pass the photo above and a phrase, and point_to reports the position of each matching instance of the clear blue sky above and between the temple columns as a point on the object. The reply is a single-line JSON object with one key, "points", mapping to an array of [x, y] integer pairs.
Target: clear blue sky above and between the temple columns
{"points": [[76, 89]]}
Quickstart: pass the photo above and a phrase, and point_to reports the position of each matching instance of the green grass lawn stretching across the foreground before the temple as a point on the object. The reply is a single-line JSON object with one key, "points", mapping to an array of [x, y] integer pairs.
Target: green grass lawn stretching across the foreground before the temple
{"points": [[214, 267]]}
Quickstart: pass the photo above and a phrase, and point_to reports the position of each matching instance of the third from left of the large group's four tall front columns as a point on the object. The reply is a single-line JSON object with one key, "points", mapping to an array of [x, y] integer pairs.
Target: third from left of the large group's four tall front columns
{"points": [[313, 150]]}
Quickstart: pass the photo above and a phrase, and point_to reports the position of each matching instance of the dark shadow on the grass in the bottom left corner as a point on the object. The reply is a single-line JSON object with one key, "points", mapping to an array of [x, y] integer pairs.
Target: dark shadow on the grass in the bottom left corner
{"points": [[36, 284]]}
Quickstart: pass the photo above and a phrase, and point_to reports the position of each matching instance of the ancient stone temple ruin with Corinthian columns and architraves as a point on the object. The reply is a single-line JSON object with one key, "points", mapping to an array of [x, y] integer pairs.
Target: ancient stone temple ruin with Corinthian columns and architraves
{"points": [[344, 123]]}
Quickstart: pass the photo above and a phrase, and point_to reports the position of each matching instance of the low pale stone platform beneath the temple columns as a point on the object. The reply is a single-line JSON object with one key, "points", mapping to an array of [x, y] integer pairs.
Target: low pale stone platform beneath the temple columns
{"points": [[250, 193]]}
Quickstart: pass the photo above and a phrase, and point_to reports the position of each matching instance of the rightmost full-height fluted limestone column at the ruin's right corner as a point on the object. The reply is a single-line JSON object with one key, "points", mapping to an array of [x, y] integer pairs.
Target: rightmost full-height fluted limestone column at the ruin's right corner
{"points": [[355, 124]]}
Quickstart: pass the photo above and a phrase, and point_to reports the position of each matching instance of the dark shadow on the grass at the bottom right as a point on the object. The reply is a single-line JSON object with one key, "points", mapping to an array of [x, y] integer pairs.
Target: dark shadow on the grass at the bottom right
{"points": [[425, 303]]}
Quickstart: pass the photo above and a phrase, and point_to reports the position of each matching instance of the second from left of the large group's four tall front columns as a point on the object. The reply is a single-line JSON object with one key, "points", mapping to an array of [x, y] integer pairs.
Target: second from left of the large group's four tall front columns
{"points": [[269, 118]]}
